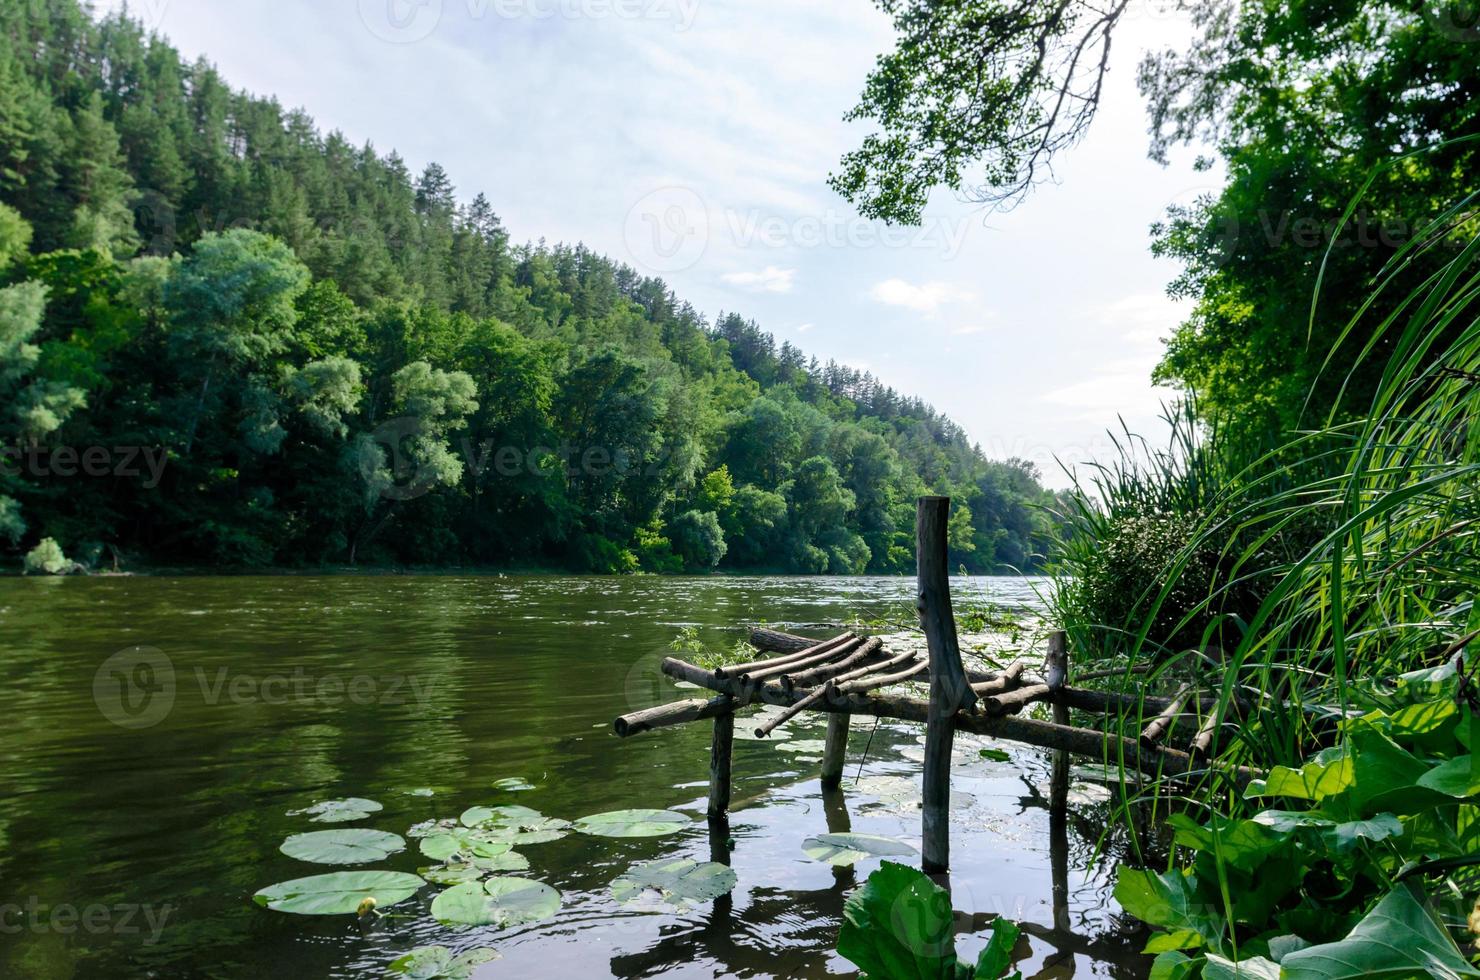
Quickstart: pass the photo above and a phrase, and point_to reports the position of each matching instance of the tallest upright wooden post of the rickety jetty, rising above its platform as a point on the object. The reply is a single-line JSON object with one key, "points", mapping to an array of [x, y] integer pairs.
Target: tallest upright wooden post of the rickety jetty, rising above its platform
{"points": [[949, 691]]}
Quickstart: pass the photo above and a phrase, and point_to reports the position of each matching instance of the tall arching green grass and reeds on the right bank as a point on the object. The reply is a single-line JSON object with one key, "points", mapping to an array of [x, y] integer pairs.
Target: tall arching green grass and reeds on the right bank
{"points": [[1337, 556]]}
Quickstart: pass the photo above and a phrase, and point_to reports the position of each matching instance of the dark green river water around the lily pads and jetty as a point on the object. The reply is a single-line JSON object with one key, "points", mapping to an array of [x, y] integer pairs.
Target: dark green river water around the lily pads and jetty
{"points": [[138, 821]]}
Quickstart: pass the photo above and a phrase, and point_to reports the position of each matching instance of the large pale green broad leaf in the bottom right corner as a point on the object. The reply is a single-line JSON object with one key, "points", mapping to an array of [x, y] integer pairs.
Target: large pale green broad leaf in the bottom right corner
{"points": [[1398, 939]]}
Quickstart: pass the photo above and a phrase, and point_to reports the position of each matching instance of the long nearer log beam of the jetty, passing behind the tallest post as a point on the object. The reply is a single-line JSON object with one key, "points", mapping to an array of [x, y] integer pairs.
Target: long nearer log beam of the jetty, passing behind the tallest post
{"points": [[1086, 742]]}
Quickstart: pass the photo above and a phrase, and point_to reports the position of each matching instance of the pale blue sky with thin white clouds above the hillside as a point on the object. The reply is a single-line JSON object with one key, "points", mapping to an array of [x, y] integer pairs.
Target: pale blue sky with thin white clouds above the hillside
{"points": [[693, 140]]}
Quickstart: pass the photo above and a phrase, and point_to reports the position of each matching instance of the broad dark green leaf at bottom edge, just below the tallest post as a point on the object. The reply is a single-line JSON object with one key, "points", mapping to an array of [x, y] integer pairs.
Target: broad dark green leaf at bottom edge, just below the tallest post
{"points": [[899, 927]]}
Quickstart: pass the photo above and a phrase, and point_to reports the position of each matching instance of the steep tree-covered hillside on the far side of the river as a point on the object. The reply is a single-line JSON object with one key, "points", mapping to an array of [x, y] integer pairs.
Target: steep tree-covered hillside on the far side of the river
{"points": [[227, 338]]}
